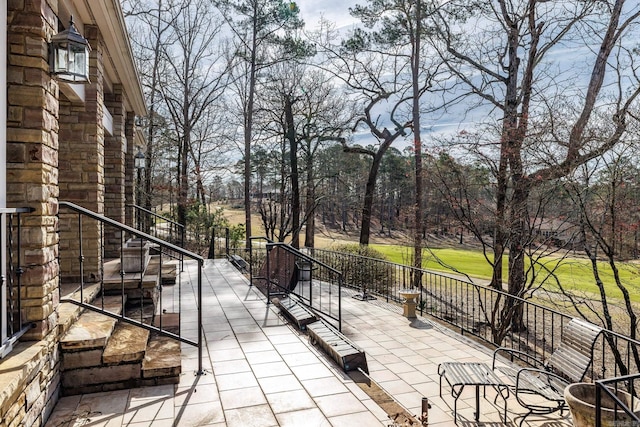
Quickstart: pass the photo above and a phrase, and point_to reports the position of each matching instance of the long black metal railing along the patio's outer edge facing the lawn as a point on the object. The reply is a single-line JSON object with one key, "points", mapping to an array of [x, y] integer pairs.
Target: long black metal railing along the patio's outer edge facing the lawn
{"points": [[492, 315]]}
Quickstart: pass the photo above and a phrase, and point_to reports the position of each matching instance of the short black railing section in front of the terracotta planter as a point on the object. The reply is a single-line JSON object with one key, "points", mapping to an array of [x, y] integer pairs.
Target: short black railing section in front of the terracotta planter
{"points": [[617, 401]]}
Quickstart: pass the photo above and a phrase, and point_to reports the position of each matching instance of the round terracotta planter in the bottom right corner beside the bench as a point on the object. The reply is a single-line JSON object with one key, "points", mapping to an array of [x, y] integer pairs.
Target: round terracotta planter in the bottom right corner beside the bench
{"points": [[581, 398]]}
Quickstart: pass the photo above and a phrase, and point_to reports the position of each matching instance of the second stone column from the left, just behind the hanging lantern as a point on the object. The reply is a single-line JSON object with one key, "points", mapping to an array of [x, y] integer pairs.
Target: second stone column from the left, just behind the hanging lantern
{"points": [[82, 175]]}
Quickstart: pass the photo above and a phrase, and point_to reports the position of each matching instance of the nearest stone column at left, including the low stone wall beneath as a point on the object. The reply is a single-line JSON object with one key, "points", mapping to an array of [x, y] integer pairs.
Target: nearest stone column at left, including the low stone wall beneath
{"points": [[32, 180]]}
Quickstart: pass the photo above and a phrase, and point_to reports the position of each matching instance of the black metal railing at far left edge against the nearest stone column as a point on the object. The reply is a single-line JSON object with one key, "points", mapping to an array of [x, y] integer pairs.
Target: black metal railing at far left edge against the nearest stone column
{"points": [[12, 323]]}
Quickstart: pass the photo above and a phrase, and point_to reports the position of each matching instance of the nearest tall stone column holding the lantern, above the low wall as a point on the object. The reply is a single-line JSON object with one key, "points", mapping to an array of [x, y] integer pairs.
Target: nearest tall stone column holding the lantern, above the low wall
{"points": [[32, 156]]}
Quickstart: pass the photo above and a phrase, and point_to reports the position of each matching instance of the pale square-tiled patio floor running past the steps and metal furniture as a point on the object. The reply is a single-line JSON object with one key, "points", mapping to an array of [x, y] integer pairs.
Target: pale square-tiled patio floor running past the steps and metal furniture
{"points": [[260, 371]]}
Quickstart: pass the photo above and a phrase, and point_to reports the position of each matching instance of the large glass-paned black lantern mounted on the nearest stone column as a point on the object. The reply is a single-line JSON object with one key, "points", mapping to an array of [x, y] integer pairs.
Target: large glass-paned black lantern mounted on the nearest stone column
{"points": [[69, 56]]}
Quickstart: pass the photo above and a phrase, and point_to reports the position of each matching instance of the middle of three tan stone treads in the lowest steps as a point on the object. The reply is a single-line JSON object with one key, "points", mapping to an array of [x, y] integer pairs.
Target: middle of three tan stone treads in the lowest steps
{"points": [[128, 343]]}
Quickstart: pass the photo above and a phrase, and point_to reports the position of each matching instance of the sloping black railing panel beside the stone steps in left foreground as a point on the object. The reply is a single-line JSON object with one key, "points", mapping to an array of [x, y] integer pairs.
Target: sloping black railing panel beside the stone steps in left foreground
{"points": [[90, 268]]}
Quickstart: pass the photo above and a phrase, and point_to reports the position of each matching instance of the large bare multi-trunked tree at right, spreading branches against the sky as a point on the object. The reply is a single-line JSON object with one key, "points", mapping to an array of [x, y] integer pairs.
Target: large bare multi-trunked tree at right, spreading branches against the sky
{"points": [[507, 67]]}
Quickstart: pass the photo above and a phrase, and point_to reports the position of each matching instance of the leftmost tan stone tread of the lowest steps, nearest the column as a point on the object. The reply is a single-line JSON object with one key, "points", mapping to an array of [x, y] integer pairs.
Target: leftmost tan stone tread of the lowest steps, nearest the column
{"points": [[92, 329]]}
